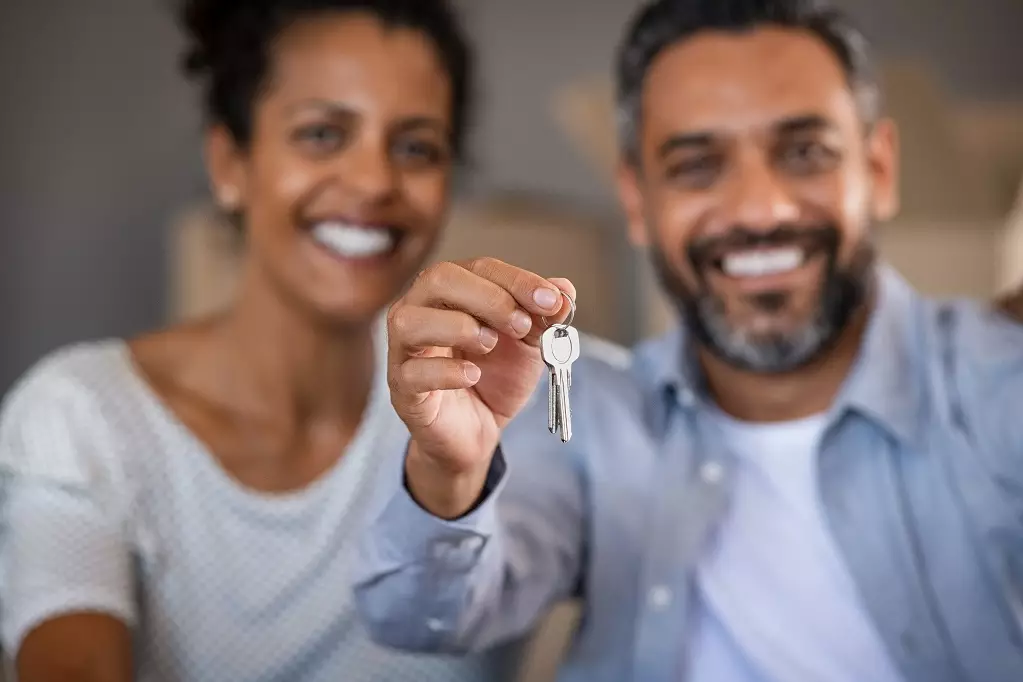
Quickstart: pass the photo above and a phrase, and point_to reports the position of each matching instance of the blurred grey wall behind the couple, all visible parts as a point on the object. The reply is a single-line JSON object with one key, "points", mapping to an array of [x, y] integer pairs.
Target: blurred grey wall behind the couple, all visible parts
{"points": [[99, 135]]}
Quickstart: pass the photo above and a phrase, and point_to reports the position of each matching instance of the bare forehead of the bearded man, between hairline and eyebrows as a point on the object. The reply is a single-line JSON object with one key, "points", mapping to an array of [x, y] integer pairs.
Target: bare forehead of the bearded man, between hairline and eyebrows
{"points": [[740, 82]]}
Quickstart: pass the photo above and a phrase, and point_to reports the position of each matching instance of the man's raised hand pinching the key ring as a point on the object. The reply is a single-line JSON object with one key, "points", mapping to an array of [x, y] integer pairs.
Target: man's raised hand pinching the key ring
{"points": [[464, 360]]}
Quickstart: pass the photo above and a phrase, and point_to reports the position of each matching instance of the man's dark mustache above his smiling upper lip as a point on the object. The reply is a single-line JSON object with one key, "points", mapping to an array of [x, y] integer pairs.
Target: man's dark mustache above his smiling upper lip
{"points": [[708, 251]]}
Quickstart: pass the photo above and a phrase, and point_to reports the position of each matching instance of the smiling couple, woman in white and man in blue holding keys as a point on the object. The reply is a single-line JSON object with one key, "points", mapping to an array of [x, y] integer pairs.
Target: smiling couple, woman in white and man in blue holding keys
{"points": [[817, 477]]}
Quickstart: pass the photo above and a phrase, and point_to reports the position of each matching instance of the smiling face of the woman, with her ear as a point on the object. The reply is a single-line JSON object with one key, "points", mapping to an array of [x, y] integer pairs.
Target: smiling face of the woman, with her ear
{"points": [[344, 187]]}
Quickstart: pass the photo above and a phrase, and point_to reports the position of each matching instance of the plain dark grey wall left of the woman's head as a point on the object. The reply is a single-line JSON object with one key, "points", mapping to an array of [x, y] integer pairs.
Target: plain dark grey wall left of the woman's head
{"points": [[98, 145]]}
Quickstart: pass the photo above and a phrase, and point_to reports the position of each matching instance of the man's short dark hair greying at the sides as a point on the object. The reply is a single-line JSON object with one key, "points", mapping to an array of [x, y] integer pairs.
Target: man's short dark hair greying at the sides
{"points": [[661, 24]]}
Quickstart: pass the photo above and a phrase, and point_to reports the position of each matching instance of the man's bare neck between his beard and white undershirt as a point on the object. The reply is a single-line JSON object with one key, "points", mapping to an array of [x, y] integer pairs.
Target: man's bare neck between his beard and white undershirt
{"points": [[811, 390]]}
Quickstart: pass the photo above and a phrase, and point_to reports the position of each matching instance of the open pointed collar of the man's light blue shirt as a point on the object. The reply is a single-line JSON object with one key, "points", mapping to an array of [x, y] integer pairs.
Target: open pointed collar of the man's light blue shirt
{"points": [[884, 385]]}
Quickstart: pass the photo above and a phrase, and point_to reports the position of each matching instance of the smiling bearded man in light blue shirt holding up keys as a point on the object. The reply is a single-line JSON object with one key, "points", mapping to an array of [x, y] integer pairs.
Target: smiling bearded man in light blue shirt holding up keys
{"points": [[818, 477]]}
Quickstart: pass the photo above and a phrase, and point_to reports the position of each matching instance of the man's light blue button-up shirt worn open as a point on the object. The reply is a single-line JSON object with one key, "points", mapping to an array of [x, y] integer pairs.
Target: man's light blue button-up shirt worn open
{"points": [[920, 472]]}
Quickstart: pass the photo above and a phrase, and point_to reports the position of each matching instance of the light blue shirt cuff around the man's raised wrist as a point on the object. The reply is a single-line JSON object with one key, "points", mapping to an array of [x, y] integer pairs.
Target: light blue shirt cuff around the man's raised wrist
{"points": [[407, 534]]}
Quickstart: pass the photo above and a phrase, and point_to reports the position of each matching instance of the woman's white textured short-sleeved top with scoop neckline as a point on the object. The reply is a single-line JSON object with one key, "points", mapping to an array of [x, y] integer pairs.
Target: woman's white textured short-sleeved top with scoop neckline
{"points": [[110, 504]]}
